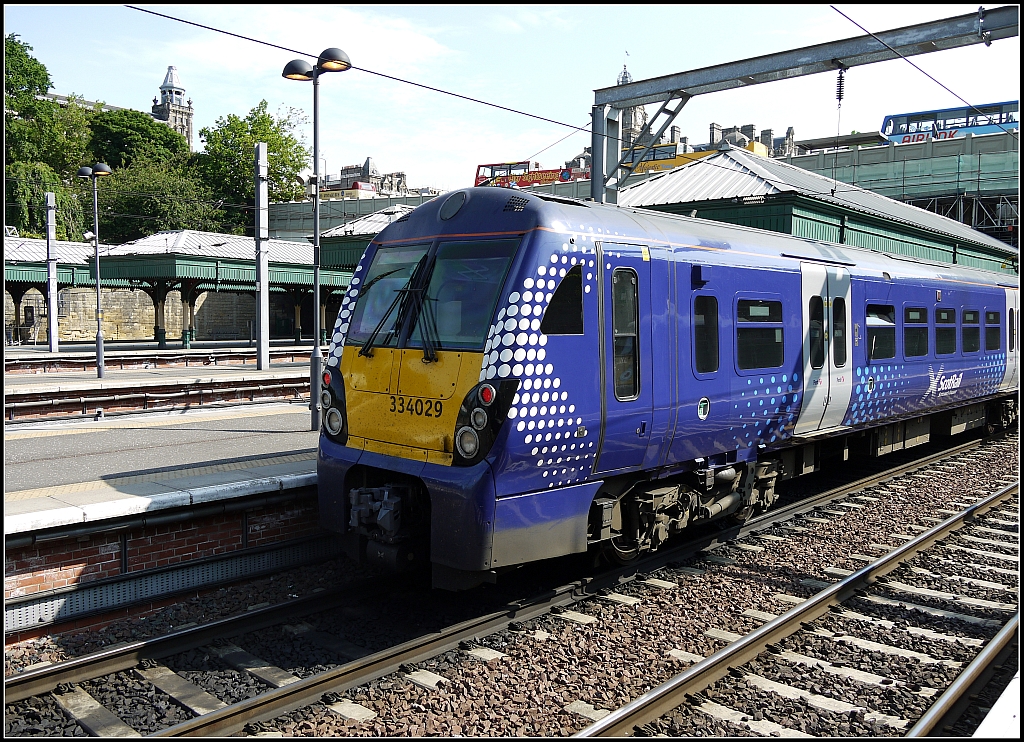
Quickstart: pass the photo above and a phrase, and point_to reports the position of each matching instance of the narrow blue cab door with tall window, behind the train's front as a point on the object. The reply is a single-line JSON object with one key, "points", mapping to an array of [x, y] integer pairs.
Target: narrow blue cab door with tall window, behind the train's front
{"points": [[627, 402]]}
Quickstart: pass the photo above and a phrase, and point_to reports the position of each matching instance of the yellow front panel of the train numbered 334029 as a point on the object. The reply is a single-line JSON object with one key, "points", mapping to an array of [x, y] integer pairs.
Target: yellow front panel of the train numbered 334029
{"points": [[418, 420]]}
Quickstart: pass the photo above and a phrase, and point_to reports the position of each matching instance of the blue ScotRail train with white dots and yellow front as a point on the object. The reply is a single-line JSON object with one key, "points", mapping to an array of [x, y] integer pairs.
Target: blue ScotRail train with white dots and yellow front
{"points": [[516, 377]]}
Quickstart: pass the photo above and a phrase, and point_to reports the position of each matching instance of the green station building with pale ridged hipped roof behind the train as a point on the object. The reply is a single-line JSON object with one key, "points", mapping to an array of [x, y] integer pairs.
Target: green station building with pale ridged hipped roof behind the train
{"points": [[740, 188]]}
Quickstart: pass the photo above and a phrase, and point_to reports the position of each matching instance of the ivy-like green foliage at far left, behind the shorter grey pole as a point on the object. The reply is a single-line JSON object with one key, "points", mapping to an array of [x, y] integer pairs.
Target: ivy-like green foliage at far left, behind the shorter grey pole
{"points": [[25, 202]]}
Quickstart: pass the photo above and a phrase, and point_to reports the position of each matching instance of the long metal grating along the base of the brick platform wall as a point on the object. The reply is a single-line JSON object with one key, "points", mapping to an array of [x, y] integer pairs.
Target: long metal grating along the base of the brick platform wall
{"points": [[59, 606]]}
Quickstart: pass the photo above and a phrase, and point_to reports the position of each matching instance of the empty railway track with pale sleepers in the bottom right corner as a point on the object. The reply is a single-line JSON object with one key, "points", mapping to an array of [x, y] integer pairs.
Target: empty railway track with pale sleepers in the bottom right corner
{"points": [[755, 659]]}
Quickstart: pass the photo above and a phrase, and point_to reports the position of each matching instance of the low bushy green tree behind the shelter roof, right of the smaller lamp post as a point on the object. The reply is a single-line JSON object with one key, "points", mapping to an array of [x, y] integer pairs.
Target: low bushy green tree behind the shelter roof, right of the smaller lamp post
{"points": [[153, 194]]}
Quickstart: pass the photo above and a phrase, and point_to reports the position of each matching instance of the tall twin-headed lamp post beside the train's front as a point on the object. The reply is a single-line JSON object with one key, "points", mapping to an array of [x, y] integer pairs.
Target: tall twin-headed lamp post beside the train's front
{"points": [[330, 61]]}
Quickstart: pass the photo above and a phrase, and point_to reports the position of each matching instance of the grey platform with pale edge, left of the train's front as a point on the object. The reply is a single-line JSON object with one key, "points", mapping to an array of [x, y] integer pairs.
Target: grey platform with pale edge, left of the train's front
{"points": [[63, 474]]}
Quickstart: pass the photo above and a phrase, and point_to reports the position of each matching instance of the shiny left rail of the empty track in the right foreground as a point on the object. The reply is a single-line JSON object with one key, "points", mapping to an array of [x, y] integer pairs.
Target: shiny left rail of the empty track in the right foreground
{"points": [[671, 694]]}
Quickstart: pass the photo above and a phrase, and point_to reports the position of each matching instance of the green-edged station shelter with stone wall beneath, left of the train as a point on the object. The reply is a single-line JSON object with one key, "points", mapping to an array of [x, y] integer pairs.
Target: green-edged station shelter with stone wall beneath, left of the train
{"points": [[182, 271]]}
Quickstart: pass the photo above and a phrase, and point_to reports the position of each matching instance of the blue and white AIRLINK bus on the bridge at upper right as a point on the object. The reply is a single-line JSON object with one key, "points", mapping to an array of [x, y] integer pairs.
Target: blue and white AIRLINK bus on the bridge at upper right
{"points": [[950, 123]]}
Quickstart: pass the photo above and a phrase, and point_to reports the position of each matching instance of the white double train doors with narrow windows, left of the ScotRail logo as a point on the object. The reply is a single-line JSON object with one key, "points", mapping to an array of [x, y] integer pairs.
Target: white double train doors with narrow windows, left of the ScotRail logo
{"points": [[828, 379]]}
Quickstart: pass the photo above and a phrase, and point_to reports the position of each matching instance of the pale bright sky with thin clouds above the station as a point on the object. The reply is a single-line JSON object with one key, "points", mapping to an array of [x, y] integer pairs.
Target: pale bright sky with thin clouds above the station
{"points": [[541, 60]]}
